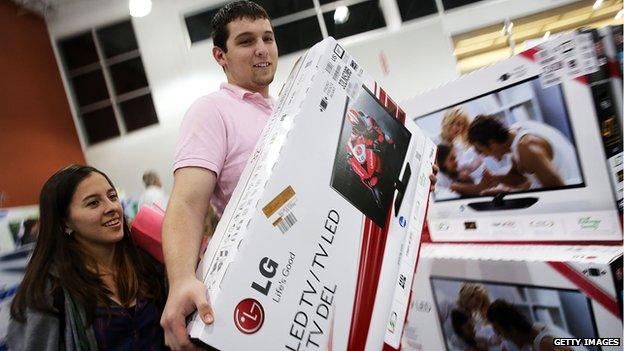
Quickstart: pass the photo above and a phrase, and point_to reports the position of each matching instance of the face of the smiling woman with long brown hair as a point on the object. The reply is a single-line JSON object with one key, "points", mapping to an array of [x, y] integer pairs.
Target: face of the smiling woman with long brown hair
{"points": [[95, 213]]}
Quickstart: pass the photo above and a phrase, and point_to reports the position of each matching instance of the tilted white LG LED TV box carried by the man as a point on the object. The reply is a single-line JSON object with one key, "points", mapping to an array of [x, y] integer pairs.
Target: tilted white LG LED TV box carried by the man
{"points": [[318, 245]]}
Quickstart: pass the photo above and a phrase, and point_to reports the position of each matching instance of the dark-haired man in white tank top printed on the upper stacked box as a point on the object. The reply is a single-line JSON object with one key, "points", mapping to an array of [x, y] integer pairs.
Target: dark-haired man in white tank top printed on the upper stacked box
{"points": [[540, 153]]}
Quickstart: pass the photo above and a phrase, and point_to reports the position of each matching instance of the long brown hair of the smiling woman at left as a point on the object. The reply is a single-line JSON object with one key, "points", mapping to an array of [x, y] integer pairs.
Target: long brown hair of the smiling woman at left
{"points": [[58, 261]]}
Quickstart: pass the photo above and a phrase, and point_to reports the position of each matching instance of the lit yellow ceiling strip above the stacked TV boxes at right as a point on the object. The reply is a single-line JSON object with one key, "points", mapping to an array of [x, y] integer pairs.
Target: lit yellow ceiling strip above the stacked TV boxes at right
{"points": [[486, 45]]}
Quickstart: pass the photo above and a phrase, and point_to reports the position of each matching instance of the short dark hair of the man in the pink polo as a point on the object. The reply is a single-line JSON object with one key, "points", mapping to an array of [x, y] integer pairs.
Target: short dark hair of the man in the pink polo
{"points": [[232, 12]]}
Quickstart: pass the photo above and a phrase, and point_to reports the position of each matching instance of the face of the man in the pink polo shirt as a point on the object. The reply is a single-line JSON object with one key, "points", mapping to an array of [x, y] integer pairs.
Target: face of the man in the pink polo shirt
{"points": [[251, 58]]}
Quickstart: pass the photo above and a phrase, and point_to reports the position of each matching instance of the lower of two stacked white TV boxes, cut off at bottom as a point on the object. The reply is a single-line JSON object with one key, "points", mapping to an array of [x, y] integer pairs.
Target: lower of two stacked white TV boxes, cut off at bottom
{"points": [[576, 290]]}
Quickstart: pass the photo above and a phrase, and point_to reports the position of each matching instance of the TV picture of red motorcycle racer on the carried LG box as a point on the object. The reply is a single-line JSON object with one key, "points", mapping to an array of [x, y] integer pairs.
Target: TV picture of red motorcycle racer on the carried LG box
{"points": [[370, 154]]}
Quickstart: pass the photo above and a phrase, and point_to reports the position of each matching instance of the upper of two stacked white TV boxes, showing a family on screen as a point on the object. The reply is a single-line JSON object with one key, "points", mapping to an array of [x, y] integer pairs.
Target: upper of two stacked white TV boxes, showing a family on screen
{"points": [[543, 92]]}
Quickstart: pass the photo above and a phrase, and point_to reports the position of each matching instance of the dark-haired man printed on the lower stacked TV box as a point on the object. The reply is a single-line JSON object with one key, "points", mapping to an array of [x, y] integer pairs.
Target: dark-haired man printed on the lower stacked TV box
{"points": [[514, 326]]}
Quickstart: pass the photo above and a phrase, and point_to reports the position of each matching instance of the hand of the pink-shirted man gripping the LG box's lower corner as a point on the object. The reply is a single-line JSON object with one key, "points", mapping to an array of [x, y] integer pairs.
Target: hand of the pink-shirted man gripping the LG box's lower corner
{"points": [[185, 296]]}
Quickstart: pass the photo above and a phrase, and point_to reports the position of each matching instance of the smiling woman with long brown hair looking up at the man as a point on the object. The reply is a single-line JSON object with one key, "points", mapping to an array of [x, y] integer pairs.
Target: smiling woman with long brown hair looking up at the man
{"points": [[87, 286]]}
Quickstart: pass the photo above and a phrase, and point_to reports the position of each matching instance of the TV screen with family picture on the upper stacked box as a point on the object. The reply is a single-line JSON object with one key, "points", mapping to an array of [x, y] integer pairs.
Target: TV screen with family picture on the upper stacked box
{"points": [[516, 139]]}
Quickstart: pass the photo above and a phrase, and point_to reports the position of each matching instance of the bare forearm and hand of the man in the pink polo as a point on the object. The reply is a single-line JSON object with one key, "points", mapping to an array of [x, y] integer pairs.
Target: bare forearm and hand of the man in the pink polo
{"points": [[182, 233]]}
